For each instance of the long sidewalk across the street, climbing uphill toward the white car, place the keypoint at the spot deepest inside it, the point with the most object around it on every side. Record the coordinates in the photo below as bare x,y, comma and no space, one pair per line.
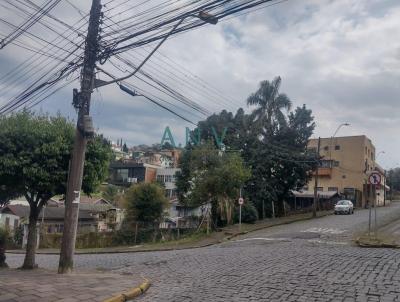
201,240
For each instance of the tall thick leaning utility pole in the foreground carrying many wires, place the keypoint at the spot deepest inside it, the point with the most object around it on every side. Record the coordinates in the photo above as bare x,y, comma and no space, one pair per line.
84,130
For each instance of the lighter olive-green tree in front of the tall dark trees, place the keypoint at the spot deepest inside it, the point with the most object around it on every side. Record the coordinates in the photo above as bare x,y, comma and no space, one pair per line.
209,175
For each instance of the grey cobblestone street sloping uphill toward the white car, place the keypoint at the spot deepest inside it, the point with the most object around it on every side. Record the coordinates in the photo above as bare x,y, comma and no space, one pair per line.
305,261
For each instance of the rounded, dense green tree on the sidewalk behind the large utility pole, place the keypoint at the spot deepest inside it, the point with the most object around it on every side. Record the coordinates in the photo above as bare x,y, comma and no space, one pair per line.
34,159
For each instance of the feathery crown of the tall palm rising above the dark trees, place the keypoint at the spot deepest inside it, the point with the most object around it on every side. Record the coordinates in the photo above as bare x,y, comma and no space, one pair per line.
271,103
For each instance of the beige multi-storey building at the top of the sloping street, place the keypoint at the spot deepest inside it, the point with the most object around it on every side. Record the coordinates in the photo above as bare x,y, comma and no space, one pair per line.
345,167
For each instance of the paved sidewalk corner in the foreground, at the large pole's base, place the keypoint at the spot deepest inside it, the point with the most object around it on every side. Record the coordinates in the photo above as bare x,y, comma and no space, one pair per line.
44,286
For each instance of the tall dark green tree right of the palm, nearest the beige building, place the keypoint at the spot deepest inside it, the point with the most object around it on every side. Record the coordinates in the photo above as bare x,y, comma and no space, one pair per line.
281,163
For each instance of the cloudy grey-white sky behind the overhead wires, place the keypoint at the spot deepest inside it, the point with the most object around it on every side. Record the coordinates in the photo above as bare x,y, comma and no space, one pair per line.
341,58
